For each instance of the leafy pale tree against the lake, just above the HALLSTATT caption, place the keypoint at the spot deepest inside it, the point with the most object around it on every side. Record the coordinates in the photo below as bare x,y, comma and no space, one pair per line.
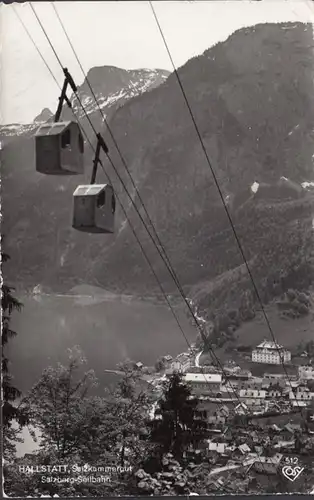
60,408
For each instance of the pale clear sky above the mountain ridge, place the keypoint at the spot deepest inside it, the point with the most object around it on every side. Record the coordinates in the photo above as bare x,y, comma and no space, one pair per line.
122,34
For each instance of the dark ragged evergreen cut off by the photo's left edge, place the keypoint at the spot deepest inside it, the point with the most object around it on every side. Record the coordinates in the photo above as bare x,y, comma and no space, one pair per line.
10,412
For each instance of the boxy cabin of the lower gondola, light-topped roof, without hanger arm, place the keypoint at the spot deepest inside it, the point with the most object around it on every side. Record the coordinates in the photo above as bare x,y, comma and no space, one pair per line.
94,208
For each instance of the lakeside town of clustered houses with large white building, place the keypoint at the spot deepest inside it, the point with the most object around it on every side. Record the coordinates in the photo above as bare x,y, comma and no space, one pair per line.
253,422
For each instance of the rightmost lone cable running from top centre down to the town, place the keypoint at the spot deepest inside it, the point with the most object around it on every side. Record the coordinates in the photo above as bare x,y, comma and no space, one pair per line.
221,195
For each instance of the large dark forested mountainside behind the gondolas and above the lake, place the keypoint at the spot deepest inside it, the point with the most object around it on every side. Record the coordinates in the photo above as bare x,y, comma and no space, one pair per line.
252,98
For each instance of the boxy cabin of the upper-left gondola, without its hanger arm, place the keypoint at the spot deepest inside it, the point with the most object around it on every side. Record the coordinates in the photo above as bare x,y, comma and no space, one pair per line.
59,149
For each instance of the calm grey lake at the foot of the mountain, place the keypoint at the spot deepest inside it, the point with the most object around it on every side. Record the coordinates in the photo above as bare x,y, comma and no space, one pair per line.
108,327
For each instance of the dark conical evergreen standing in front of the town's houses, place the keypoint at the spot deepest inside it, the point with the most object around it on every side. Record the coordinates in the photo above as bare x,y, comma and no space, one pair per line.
177,425
